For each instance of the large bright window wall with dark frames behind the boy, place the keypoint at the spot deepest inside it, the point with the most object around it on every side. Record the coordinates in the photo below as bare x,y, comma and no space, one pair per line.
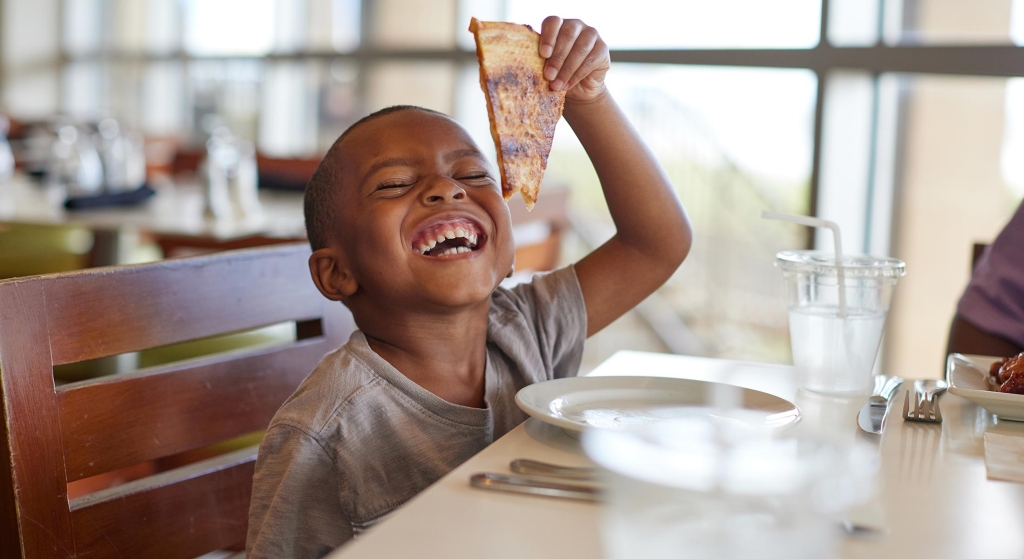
893,117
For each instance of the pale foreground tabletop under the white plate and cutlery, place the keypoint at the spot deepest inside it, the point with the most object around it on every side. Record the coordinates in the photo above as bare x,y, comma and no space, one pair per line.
932,496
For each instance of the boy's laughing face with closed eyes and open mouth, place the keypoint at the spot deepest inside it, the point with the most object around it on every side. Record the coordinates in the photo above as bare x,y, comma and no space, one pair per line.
422,220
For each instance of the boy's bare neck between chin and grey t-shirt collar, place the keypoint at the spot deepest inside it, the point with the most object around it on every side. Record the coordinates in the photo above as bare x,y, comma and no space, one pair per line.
446,355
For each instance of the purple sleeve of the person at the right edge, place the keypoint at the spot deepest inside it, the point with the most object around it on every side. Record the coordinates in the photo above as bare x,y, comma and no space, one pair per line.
994,300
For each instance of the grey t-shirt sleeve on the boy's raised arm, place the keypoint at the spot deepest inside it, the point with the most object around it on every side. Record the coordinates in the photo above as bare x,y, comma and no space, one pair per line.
552,306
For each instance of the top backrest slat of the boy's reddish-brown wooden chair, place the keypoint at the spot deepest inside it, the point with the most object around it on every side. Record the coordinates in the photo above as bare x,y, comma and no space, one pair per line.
175,302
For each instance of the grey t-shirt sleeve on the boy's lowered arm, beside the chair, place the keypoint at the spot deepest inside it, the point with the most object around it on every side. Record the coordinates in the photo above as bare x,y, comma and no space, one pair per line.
296,508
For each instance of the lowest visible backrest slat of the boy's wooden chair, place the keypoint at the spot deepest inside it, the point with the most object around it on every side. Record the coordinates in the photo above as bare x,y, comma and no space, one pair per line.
216,494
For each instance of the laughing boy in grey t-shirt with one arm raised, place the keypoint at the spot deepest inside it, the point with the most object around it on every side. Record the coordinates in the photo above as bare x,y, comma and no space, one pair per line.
411,233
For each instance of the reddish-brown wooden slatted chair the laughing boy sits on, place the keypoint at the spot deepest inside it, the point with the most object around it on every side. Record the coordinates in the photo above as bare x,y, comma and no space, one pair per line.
54,436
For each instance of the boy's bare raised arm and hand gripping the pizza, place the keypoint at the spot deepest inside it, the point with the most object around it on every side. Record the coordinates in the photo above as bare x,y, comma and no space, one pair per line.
653,233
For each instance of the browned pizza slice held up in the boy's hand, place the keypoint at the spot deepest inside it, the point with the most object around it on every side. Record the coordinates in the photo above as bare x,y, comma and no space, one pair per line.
522,107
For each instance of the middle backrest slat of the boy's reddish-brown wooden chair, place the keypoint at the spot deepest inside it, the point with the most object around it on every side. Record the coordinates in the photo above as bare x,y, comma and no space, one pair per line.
118,422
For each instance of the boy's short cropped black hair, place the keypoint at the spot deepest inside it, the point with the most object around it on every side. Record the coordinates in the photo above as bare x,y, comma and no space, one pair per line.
323,187
